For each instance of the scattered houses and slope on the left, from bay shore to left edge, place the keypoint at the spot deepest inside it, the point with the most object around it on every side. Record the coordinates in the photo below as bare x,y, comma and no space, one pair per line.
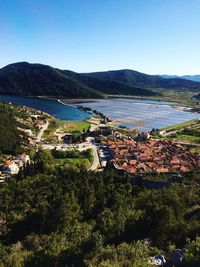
31,126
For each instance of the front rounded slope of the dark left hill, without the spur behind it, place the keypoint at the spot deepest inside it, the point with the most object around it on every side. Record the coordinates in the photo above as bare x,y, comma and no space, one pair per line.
37,79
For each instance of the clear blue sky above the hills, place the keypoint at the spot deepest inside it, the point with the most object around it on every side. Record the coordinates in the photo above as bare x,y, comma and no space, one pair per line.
152,36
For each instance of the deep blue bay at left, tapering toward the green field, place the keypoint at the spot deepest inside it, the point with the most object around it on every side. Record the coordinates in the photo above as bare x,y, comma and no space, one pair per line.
52,107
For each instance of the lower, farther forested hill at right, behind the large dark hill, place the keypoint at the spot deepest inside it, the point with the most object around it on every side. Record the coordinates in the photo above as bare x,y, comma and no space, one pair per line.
138,79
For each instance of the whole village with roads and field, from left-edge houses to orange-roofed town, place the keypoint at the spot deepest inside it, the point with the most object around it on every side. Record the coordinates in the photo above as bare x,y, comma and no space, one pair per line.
129,151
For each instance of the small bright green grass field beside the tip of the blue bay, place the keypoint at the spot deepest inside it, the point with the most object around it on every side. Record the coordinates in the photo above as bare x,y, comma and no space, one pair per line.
76,126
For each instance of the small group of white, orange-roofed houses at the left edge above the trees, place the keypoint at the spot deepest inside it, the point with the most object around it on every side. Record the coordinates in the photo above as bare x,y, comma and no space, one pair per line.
12,165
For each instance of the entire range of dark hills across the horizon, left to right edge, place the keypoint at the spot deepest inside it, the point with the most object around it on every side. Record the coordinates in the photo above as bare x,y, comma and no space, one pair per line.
24,78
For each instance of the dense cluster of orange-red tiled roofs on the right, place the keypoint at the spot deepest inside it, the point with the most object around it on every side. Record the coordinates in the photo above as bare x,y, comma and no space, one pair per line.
151,156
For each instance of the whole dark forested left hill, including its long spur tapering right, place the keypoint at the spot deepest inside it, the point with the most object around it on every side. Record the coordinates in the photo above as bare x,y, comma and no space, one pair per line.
36,79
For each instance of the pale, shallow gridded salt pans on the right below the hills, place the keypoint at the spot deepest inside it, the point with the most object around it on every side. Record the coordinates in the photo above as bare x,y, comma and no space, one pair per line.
140,113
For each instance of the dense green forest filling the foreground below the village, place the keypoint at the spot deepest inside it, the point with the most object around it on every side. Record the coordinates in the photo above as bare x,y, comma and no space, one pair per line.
57,217
